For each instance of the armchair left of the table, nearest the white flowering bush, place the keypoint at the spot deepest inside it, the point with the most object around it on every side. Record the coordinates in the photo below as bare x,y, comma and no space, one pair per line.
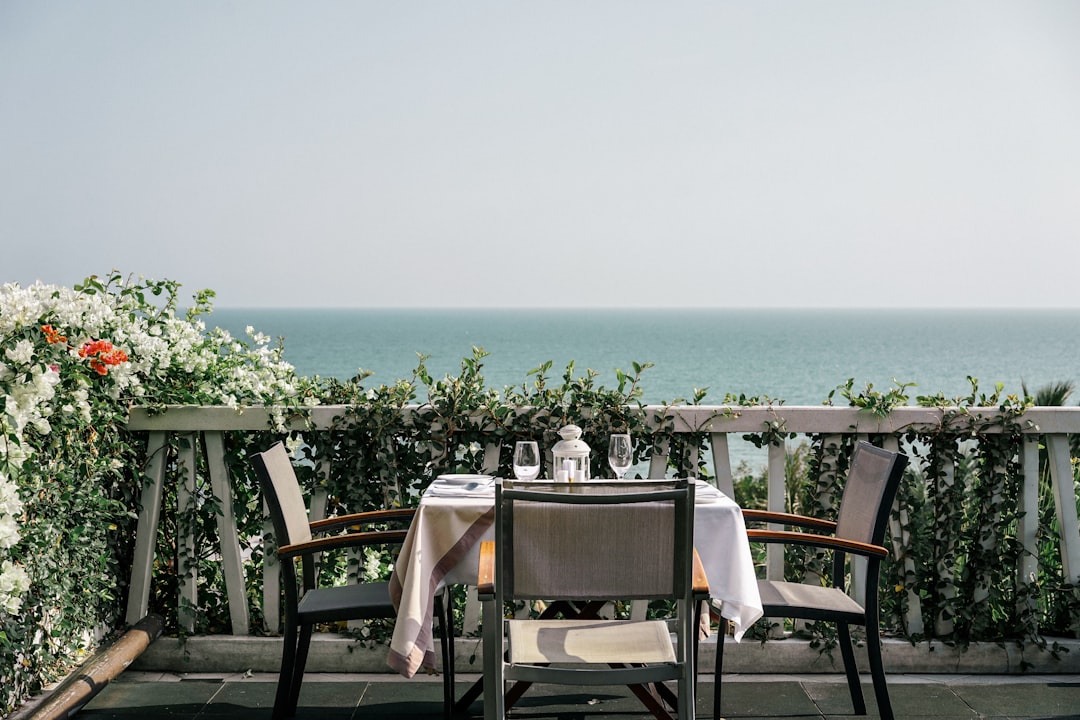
323,605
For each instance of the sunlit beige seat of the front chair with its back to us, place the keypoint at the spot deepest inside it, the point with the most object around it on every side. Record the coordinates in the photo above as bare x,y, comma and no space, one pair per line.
590,642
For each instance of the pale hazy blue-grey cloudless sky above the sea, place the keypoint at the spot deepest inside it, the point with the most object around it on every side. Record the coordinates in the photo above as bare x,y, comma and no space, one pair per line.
589,154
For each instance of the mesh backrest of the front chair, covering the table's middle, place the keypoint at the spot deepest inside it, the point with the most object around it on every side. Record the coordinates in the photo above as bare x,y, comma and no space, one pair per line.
595,541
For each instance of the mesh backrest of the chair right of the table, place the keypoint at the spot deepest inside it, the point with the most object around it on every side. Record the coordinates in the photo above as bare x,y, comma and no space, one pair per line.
873,479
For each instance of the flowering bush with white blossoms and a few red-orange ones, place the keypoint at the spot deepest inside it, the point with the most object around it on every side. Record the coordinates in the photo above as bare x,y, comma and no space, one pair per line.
72,362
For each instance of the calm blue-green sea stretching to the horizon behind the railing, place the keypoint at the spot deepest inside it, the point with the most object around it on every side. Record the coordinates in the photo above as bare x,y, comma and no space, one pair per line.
798,357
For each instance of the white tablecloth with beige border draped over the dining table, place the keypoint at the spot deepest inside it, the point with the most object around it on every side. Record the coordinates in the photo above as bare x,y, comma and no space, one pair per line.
443,548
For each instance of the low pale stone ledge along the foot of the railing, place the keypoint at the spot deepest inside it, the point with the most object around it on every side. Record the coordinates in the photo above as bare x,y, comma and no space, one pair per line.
332,654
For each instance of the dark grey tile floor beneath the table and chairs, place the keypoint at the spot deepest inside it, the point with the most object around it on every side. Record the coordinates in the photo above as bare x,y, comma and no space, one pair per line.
377,697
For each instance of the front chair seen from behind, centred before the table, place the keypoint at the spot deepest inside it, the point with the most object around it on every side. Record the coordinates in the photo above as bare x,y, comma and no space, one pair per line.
588,544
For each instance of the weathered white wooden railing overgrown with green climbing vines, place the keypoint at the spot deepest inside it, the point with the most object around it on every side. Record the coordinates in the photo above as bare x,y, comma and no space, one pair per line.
205,427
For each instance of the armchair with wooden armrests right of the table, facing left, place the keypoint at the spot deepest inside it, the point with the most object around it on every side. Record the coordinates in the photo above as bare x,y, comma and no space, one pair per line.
874,476
